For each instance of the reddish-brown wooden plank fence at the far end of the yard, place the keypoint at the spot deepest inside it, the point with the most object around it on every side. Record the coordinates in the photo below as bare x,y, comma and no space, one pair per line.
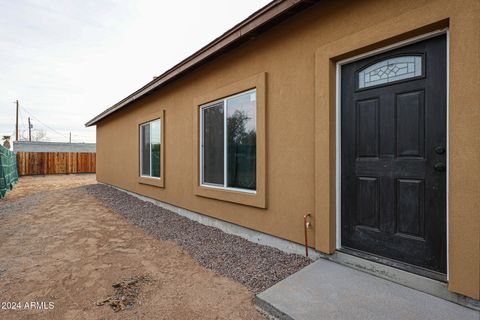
34,163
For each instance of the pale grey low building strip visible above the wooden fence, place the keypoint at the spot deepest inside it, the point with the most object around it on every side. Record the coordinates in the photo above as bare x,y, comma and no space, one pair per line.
40,146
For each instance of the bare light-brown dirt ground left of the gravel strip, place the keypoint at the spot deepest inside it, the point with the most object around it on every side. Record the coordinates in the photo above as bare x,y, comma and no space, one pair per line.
59,245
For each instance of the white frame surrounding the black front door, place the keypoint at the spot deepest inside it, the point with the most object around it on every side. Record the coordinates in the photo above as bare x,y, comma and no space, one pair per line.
338,140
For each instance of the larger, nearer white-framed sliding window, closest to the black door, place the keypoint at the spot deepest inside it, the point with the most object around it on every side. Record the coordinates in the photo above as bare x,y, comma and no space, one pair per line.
228,131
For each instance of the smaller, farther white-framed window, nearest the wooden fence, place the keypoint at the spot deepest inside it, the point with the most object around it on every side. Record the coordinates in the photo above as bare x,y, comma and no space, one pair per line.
150,138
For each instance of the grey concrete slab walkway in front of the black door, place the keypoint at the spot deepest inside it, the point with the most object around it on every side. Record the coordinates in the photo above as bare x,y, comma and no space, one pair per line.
327,290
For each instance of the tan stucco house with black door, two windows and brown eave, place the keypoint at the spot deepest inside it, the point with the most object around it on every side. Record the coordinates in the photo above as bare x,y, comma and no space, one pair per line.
363,114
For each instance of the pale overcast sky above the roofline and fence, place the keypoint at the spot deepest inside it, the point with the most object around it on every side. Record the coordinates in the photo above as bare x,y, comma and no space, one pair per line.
66,61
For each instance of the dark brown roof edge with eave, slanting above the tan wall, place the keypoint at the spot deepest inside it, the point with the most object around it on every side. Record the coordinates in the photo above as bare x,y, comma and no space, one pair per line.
241,30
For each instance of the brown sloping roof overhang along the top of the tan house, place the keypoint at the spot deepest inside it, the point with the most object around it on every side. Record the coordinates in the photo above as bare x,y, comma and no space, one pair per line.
267,17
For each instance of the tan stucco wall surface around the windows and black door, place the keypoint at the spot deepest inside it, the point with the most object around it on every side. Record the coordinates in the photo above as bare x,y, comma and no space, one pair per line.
298,58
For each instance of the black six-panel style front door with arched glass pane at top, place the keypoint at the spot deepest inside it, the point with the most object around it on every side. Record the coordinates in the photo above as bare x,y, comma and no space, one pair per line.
393,155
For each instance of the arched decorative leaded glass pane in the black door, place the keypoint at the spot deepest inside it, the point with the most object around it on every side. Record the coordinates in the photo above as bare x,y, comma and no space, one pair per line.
391,70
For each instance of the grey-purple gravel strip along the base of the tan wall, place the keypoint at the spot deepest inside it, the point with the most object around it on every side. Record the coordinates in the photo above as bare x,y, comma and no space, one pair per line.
256,266
